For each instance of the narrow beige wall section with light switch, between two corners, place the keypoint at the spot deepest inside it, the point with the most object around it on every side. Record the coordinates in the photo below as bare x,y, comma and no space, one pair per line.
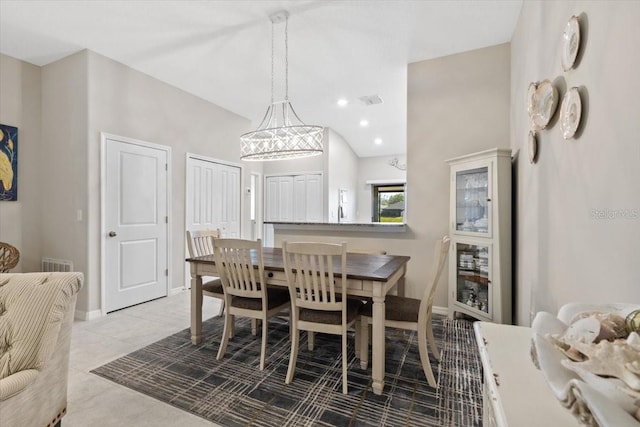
63,164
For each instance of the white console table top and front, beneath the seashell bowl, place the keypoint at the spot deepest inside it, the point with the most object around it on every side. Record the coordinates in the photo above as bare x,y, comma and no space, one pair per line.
515,392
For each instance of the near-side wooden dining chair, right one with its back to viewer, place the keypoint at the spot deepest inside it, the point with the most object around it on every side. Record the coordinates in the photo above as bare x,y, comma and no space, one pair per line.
319,300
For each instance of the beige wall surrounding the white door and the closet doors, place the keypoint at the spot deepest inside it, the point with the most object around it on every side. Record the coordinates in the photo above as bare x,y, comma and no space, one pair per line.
128,103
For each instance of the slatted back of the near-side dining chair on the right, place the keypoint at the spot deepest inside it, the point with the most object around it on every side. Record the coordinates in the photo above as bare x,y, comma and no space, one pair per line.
311,274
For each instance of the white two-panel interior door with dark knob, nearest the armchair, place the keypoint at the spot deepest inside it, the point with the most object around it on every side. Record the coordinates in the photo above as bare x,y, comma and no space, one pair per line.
136,222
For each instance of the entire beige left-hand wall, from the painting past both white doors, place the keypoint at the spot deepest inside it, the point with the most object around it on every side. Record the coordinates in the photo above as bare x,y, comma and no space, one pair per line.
82,95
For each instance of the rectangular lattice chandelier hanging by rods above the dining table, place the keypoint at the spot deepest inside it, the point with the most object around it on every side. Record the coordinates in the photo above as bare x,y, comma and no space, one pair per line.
281,135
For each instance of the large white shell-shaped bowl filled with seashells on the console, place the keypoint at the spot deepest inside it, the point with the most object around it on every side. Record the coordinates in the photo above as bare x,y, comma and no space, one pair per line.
583,374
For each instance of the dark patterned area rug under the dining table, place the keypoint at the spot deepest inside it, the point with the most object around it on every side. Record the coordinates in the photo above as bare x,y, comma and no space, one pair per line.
234,392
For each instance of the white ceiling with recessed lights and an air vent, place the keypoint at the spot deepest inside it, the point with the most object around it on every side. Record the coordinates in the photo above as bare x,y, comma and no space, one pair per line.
220,50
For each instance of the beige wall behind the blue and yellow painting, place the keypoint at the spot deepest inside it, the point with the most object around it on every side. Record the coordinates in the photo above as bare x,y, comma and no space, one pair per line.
20,107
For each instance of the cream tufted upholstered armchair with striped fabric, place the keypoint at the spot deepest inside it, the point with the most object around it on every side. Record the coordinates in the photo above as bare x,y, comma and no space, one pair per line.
36,315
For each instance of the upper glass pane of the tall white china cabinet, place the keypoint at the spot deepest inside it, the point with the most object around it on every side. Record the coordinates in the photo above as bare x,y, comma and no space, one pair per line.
473,207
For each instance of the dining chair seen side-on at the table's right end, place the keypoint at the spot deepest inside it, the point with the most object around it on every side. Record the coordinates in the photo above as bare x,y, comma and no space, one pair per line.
411,314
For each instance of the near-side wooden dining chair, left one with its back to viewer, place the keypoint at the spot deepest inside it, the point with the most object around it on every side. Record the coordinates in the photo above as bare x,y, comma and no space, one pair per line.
241,269
